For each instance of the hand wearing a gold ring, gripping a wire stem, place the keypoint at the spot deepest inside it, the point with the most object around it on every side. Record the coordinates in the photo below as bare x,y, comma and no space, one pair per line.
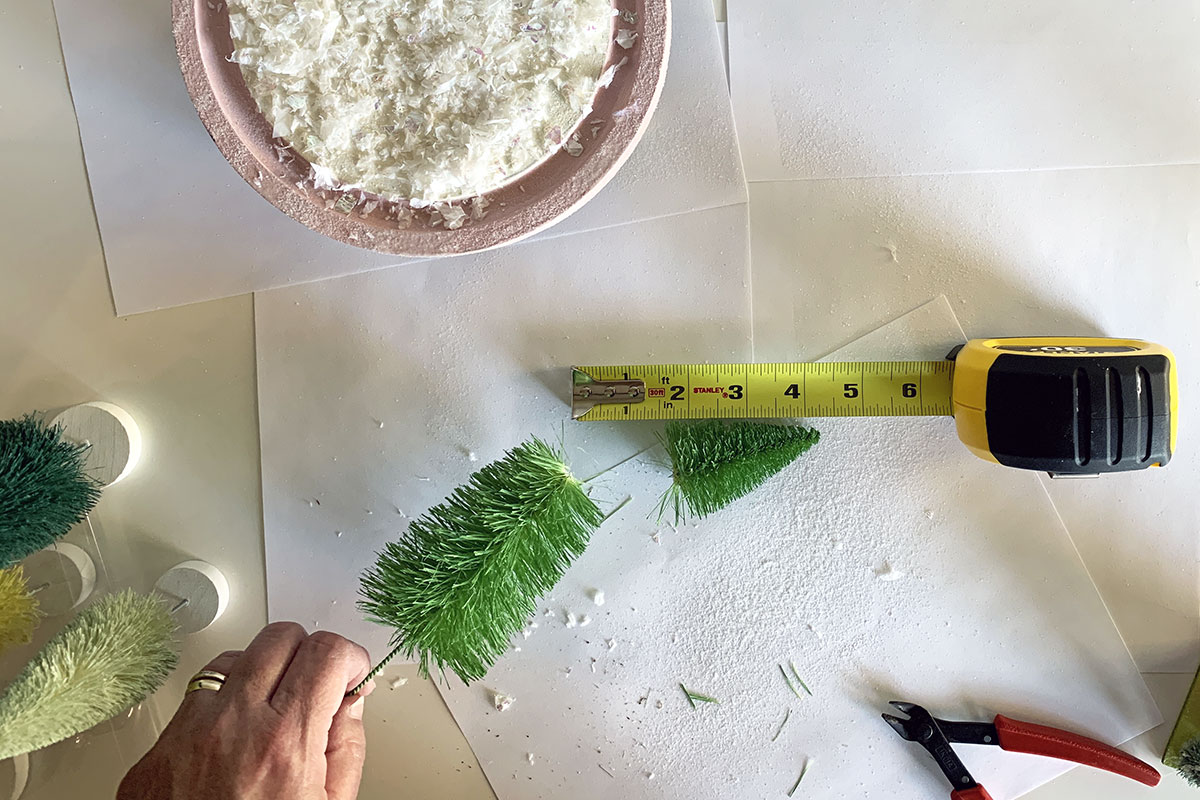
280,727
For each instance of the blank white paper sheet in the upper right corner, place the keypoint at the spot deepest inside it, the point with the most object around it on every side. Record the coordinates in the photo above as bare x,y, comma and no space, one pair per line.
826,88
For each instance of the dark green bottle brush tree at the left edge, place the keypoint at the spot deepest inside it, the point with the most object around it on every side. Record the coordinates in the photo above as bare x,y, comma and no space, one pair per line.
44,490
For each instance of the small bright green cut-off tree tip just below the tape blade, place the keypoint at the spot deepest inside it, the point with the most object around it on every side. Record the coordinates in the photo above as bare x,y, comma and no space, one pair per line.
715,462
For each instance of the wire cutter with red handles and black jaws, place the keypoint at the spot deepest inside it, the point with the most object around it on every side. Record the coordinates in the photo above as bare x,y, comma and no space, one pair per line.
937,737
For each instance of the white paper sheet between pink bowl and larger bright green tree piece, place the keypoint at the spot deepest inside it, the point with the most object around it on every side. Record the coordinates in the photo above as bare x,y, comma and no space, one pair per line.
376,392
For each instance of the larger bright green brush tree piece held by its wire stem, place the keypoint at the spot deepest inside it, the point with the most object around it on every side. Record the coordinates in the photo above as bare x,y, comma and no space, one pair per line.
466,578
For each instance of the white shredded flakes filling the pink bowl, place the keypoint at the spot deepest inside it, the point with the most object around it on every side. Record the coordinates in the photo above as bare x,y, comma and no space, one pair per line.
422,100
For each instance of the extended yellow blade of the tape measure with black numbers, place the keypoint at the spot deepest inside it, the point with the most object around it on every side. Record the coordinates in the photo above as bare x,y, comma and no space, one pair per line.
681,392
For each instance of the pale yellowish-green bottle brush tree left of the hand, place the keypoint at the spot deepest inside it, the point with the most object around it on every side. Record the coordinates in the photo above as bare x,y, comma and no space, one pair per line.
109,659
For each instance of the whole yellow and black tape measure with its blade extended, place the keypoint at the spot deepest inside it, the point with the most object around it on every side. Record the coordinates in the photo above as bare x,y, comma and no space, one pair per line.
1066,406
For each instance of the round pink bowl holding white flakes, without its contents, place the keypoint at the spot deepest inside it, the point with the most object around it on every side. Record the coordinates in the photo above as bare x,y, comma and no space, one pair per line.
532,202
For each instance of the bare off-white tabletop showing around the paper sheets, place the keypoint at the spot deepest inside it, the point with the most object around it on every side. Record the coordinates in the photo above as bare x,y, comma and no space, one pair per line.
189,377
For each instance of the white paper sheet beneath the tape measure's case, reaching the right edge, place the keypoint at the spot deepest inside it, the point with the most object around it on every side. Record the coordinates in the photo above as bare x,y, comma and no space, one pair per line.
1079,252
